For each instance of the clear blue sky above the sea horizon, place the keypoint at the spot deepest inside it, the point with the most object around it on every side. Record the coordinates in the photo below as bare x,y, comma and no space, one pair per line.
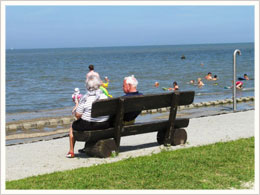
101,26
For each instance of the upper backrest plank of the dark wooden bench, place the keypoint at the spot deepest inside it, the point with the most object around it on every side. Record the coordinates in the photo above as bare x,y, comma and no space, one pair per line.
137,103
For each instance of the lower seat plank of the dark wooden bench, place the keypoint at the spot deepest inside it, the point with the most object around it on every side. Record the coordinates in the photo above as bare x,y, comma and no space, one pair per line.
95,135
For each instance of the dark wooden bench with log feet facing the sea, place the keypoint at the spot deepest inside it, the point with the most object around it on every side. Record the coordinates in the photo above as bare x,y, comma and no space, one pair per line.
100,143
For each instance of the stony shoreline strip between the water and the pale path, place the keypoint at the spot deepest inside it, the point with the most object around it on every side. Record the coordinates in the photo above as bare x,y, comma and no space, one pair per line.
31,130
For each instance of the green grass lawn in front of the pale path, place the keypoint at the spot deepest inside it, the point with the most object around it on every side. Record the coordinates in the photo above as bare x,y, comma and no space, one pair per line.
217,166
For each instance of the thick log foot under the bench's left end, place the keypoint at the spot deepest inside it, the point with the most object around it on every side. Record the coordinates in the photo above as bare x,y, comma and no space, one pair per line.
101,149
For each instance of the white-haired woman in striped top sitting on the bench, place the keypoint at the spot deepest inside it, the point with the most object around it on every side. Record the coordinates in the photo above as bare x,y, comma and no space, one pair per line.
84,120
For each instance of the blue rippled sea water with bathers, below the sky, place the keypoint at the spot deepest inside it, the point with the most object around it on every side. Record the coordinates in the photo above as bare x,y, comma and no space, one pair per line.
43,79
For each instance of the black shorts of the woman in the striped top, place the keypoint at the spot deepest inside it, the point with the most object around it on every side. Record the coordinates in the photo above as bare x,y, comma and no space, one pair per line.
83,125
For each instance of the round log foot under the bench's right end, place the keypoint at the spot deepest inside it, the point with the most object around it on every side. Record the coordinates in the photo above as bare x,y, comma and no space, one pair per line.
179,137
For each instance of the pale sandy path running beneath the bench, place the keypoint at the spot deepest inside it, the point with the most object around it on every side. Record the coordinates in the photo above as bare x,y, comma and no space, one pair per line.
25,160
